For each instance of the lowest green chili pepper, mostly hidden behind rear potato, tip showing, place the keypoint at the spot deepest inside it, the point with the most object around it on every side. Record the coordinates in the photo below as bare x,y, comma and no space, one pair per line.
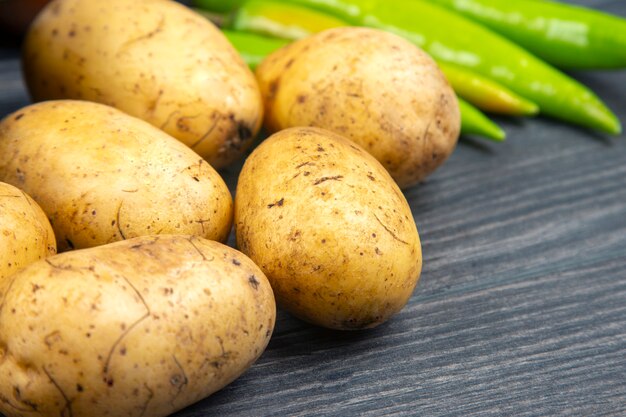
254,48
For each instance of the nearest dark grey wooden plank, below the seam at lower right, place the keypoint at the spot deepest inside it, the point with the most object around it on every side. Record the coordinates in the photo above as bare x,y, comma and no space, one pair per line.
524,348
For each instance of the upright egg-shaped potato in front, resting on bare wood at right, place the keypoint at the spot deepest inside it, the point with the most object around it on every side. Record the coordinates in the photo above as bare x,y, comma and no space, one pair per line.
329,228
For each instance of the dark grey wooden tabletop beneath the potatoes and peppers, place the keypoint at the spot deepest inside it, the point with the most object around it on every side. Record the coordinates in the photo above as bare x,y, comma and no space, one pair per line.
521,309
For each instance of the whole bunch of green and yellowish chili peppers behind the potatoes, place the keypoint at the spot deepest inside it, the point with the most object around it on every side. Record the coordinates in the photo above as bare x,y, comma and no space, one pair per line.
499,56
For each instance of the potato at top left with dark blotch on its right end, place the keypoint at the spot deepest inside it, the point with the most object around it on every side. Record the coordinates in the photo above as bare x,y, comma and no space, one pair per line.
154,59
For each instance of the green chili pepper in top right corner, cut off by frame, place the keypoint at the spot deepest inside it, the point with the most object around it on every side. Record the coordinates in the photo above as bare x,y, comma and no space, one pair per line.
564,35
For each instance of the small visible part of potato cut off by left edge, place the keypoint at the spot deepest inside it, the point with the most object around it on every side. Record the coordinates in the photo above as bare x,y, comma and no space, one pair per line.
25,232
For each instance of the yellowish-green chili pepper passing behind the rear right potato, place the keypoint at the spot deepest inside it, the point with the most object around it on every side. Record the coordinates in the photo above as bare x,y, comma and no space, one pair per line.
289,21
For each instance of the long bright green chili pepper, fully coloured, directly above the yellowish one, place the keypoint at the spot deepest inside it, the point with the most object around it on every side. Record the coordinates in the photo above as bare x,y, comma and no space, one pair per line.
449,37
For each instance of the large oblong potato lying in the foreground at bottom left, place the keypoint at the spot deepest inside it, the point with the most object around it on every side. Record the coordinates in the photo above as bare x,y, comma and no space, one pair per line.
137,328
